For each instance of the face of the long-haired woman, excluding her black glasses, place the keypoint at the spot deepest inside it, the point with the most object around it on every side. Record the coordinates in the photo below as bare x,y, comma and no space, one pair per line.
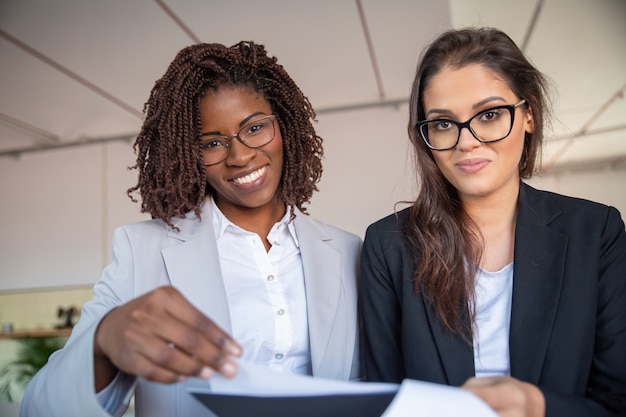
477,169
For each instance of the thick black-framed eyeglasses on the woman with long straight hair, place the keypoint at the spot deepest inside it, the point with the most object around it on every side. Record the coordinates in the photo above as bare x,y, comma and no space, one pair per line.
490,125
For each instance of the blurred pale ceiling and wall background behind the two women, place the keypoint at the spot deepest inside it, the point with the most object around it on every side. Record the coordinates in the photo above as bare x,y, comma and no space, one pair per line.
74,75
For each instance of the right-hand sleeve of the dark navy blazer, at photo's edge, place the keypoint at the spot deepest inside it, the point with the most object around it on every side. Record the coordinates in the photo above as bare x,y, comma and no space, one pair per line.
606,386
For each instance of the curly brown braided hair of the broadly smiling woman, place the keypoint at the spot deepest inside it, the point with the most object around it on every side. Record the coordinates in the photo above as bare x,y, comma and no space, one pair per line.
171,178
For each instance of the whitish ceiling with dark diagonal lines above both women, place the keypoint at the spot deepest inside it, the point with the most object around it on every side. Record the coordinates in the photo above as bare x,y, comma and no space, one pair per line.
80,70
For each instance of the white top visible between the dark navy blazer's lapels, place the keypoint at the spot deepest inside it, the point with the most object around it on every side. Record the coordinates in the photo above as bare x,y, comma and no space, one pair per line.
494,292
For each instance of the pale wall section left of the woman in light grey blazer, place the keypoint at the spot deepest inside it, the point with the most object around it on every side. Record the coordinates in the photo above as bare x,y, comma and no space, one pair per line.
58,210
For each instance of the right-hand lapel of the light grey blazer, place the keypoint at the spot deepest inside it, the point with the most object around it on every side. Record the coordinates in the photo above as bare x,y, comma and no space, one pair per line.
322,272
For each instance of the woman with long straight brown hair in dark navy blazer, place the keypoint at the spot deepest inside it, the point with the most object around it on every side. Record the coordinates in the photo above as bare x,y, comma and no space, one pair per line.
516,294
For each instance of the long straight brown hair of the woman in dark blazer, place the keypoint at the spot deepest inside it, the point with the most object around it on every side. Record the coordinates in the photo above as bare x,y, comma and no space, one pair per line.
444,240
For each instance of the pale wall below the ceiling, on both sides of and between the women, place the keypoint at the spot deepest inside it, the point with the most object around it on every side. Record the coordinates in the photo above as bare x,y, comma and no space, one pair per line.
58,208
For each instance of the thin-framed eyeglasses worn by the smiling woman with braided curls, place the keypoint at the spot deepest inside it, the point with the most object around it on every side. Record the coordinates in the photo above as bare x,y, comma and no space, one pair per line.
254,134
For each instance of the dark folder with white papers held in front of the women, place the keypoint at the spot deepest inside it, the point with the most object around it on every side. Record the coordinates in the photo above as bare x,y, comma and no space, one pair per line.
267,392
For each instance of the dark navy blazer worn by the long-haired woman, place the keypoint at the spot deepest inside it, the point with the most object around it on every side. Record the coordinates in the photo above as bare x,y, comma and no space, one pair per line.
568,318
